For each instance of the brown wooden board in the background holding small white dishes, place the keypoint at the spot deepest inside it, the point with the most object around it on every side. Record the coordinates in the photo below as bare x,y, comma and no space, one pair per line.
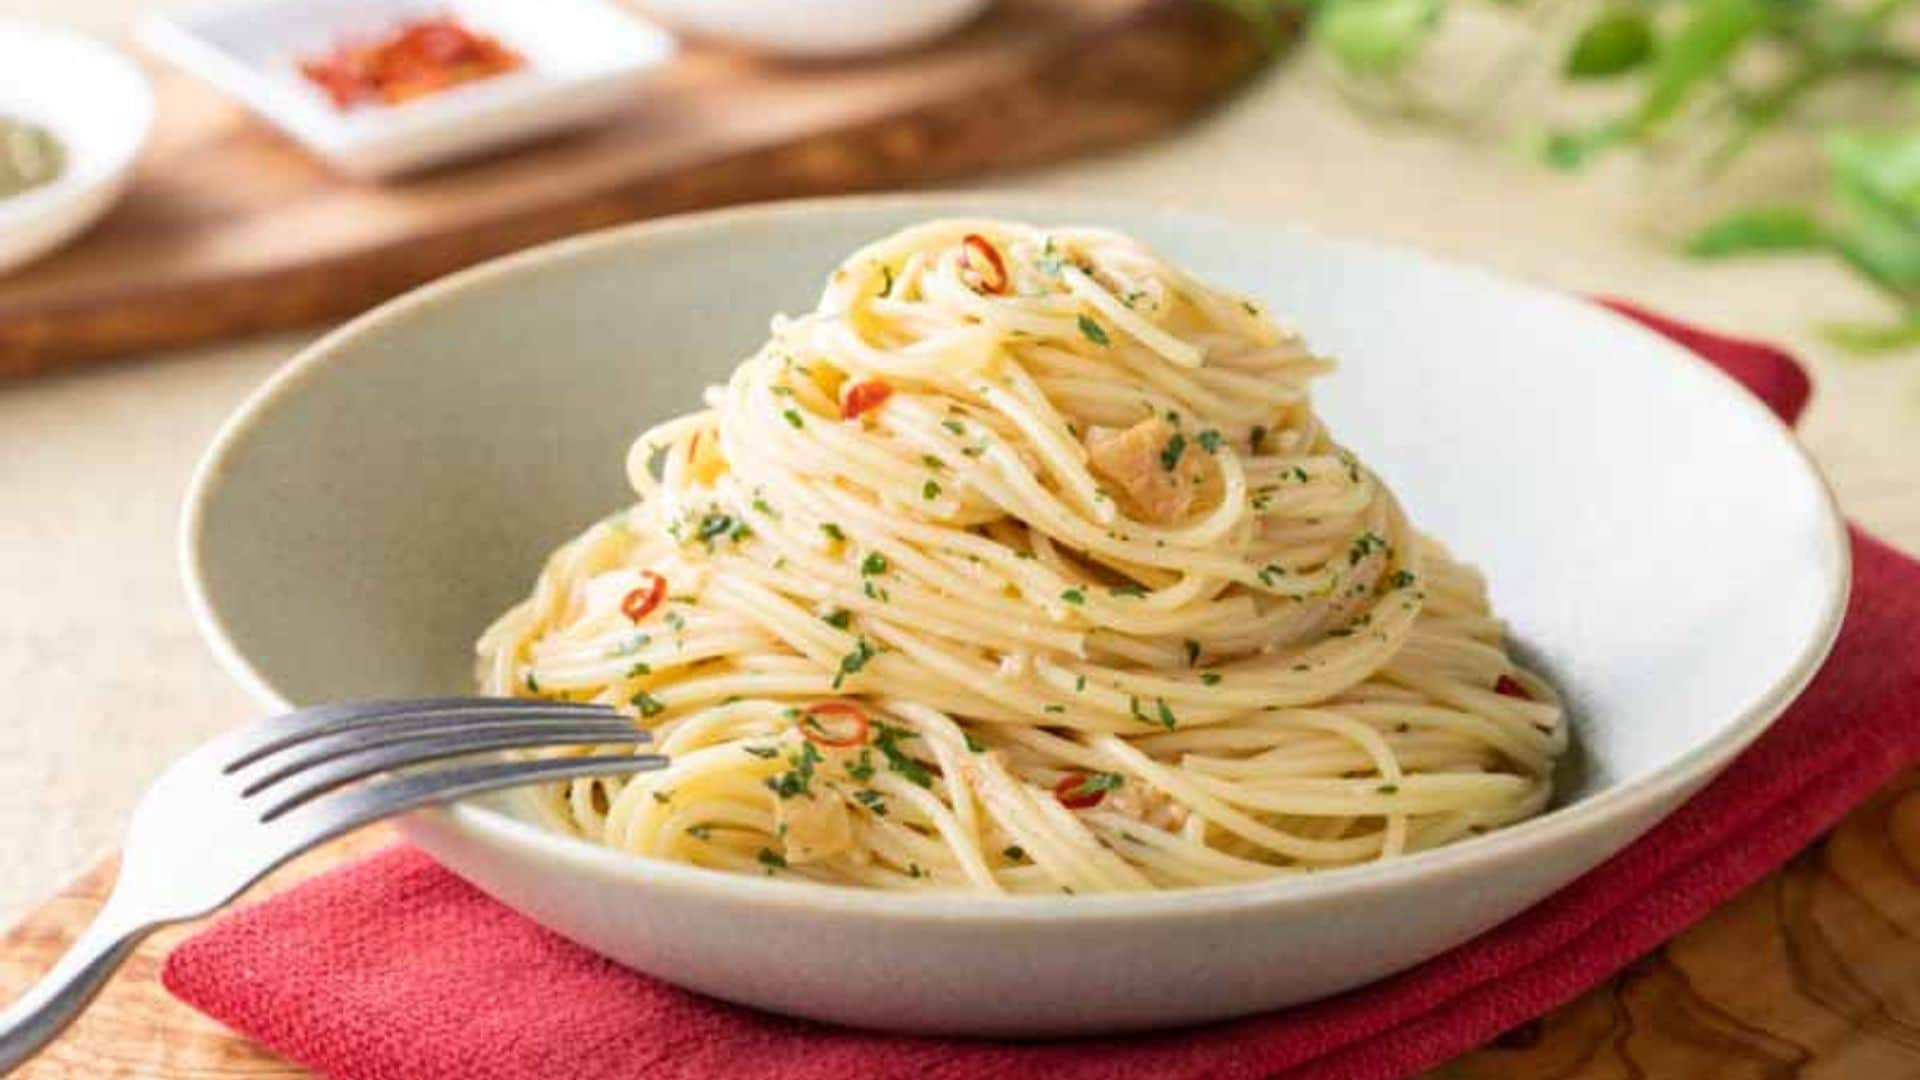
231,230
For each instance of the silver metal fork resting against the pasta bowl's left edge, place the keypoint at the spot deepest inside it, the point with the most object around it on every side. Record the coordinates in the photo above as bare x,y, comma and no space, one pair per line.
252,798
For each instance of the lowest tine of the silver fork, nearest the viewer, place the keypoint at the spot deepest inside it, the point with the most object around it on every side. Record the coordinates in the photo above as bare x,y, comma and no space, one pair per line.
331,816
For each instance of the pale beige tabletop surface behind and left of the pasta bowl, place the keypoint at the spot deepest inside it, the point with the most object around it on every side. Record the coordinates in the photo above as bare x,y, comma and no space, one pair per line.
107,681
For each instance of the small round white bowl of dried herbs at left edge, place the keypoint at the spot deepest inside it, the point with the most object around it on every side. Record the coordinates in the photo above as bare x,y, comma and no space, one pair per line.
101,109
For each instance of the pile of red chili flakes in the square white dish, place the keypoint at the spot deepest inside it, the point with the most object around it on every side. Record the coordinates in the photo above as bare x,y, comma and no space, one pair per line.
418,59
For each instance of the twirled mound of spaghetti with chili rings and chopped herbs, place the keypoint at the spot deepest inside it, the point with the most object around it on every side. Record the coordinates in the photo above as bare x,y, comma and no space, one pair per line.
1022,566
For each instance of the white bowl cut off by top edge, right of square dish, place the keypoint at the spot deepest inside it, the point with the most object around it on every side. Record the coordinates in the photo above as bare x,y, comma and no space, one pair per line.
815,30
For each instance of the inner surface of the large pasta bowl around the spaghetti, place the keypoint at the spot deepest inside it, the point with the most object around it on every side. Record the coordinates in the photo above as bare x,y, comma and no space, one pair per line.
1650,533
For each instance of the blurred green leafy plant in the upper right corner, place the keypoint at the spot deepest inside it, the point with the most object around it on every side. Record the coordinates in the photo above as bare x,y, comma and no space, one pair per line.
1746,68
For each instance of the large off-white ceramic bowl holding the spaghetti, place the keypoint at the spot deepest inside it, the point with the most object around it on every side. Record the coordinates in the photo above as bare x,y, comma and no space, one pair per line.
1656,537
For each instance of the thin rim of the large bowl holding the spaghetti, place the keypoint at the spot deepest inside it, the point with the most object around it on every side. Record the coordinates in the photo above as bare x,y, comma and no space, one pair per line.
496,829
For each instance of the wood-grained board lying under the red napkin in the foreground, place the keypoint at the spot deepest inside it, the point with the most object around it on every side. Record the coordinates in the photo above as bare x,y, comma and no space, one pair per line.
1812,973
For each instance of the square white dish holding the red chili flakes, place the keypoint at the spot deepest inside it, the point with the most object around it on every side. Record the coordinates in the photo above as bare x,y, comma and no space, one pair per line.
585,62
